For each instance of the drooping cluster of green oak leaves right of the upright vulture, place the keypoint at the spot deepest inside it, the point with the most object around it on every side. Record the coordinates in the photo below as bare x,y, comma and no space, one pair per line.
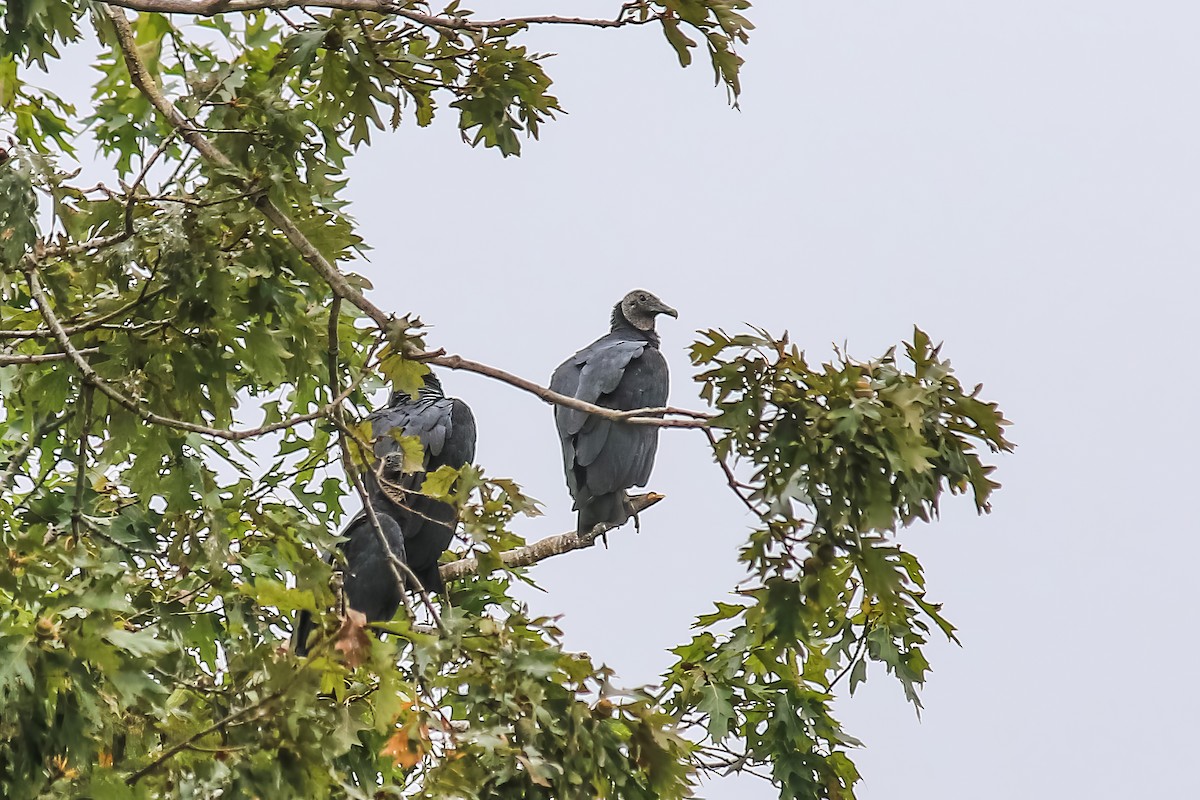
841,458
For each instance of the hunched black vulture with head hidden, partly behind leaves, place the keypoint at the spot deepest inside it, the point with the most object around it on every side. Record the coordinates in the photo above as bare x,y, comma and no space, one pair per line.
418,528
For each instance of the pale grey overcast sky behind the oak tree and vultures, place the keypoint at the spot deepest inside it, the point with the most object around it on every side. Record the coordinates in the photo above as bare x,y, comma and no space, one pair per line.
1019,179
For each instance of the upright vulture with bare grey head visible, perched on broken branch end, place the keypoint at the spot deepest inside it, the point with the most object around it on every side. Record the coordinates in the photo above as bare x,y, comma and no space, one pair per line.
623,370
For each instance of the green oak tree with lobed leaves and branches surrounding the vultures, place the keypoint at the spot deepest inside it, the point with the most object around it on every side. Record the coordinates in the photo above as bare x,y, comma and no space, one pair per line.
187,369
